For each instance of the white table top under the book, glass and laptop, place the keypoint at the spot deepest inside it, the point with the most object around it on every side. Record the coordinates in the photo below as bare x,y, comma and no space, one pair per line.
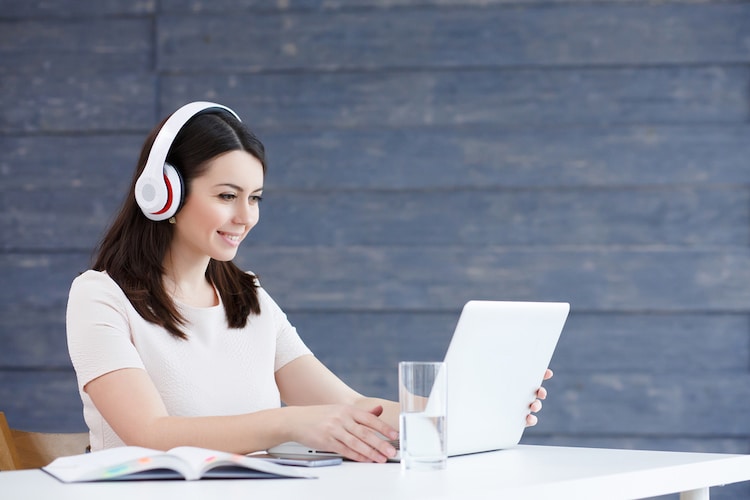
525,472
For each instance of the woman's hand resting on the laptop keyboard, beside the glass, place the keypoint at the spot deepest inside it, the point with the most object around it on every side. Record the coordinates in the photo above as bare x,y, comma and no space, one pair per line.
355,433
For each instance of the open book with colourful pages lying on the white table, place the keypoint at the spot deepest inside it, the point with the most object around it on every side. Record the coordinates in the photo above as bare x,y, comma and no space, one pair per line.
184,462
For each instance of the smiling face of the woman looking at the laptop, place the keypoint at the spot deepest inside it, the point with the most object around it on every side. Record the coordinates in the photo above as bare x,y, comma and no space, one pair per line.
221,208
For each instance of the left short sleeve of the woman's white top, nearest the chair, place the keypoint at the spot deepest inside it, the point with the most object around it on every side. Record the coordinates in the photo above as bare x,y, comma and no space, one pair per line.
98,328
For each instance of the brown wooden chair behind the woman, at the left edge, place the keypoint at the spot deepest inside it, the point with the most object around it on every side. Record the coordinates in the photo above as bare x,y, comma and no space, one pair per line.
31,450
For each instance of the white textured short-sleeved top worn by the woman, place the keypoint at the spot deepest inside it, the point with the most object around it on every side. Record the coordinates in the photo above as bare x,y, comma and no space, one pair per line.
217,371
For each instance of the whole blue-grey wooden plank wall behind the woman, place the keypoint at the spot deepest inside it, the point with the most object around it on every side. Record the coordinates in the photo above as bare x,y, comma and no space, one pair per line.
422,153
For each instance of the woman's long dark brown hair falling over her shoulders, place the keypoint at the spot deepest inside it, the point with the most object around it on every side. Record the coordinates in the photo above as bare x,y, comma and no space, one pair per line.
133,248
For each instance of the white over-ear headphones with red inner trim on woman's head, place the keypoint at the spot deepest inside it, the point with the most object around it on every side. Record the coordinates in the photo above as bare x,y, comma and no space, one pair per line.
159,190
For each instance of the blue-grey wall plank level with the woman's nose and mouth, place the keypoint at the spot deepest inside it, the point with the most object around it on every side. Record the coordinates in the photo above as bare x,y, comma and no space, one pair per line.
50,218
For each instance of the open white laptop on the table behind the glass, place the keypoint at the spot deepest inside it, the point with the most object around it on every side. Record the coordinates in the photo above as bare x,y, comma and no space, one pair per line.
496,361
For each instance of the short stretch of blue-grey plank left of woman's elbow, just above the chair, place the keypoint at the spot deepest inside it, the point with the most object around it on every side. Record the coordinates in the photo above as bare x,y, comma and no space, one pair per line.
45,401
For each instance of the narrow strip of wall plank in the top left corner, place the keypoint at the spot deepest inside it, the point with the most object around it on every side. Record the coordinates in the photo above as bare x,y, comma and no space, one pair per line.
13,9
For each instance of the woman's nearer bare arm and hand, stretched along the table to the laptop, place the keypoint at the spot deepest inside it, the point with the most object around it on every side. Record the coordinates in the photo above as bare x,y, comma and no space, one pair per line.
131,404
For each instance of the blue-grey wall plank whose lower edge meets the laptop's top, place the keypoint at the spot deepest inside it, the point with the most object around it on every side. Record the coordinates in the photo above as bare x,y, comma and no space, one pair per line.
438,279
